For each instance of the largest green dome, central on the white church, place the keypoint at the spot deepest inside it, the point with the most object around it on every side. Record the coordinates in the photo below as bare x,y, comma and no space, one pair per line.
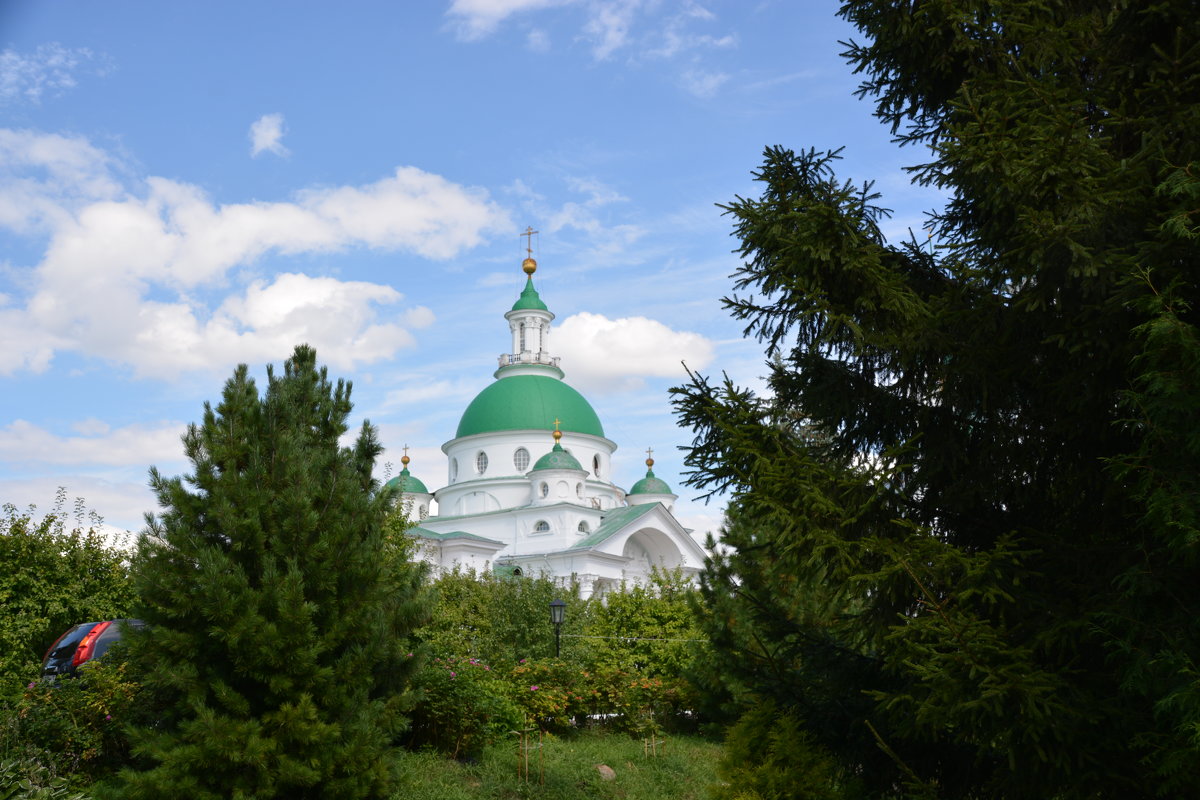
529,402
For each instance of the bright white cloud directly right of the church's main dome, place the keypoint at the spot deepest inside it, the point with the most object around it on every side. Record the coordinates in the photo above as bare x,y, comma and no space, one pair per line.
603,354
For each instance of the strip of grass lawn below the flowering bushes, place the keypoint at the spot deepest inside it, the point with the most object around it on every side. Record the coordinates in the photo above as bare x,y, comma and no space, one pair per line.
685,769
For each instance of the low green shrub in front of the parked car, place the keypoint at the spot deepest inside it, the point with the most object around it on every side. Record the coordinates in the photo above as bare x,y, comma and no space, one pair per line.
75,727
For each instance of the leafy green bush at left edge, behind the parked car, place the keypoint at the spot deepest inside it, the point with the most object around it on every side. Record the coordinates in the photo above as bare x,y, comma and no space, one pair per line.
52,579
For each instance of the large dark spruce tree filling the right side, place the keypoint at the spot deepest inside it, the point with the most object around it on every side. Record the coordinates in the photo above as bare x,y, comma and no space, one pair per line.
980,578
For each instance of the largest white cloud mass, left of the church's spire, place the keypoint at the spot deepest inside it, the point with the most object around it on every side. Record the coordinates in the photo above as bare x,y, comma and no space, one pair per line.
125,269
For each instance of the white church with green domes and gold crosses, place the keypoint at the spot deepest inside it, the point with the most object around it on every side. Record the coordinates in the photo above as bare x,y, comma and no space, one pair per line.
530,489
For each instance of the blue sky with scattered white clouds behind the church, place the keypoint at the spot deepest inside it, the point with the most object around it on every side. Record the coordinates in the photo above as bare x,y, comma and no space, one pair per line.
185,187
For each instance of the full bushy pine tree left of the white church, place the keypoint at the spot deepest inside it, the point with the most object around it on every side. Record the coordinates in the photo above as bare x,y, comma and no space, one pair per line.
278,604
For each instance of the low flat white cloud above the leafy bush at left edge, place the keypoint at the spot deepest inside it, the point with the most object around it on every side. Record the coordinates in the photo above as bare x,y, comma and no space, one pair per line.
135,446
